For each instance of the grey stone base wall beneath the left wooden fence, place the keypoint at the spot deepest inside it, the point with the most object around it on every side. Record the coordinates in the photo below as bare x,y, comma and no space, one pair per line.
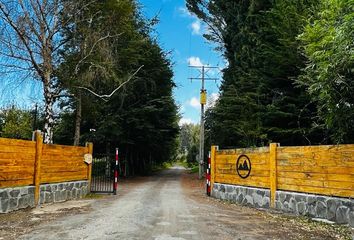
12,199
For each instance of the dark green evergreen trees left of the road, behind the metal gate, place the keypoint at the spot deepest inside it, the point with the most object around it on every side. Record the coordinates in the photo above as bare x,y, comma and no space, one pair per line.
141,118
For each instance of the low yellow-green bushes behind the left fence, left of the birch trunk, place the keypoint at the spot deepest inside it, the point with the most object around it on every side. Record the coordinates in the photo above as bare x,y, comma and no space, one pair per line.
15,123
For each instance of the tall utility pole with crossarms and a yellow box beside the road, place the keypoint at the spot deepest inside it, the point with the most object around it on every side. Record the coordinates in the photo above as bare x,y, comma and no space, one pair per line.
203,100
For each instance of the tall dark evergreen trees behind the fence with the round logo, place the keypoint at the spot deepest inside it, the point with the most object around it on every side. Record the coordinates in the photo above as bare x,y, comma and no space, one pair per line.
260,101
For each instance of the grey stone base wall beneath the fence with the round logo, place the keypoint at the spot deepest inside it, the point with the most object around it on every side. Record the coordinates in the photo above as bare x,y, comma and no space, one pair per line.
339,210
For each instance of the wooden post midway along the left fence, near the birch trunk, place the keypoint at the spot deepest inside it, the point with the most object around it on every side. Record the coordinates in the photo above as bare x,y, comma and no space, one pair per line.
37,167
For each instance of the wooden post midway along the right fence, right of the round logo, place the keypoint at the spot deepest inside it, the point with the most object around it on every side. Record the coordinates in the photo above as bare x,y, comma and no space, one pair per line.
273,172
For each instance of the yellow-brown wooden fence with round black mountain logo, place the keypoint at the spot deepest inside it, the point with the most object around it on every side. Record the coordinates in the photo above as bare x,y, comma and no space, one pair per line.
324,170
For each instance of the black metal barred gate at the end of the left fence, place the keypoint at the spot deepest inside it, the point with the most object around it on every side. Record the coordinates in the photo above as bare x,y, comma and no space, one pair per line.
102,180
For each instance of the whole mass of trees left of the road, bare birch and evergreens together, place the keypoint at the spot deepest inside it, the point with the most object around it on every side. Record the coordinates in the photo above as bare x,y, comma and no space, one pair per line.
104,77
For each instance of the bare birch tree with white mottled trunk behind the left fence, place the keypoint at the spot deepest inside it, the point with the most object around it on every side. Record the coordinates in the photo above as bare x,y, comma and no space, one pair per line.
30,41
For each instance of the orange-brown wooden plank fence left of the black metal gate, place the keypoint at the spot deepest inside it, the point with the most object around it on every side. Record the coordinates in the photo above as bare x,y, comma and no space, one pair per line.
24,163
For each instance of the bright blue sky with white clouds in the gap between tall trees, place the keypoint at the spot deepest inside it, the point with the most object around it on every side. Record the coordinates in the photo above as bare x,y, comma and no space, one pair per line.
181,32
